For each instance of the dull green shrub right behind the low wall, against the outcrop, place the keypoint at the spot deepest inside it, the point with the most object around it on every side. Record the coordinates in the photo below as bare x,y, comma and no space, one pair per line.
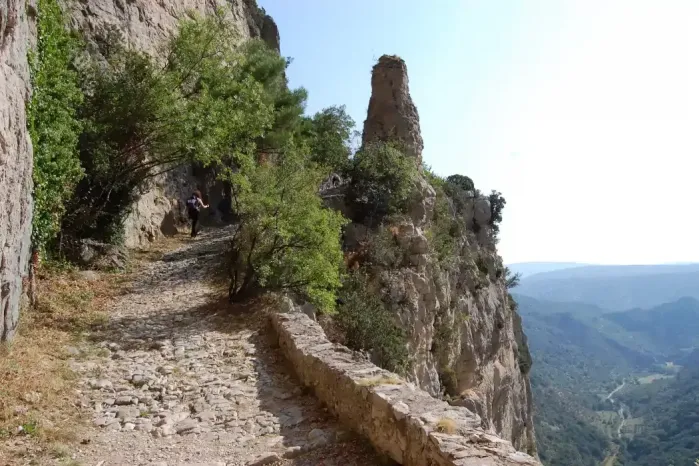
368,325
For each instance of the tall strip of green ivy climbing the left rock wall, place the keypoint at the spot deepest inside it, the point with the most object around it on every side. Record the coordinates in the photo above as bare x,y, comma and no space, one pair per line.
53,124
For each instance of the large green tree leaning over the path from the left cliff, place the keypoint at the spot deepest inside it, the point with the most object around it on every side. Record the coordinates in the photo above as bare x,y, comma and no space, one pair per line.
208,103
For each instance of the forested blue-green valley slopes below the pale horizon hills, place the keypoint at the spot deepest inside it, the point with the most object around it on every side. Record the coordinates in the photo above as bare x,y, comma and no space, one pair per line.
582,353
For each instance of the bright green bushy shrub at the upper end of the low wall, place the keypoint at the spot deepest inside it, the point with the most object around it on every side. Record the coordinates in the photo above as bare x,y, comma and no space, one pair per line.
286,239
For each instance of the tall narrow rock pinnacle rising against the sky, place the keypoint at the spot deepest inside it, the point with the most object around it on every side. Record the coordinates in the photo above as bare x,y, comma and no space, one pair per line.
392,115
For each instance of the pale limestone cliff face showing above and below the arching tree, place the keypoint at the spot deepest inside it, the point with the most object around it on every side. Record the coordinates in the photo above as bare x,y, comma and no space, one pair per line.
146,25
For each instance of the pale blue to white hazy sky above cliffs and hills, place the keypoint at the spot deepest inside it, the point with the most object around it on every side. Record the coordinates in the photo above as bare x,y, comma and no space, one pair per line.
583,113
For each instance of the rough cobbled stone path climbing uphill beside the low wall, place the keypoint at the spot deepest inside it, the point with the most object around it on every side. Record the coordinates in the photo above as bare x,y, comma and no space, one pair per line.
179,378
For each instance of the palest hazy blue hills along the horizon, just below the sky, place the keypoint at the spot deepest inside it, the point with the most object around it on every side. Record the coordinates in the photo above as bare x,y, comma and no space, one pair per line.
617,288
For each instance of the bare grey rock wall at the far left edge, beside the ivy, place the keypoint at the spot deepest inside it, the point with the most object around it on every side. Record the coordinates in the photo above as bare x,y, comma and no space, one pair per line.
17,35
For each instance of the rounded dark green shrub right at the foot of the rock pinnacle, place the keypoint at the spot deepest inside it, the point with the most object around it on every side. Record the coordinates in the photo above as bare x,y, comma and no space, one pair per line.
383,179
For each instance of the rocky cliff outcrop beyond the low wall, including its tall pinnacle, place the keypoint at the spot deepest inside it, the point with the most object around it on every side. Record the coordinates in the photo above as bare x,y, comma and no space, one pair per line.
464,333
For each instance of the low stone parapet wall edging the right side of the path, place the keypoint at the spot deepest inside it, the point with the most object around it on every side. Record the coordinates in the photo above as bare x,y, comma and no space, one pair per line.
402,421
